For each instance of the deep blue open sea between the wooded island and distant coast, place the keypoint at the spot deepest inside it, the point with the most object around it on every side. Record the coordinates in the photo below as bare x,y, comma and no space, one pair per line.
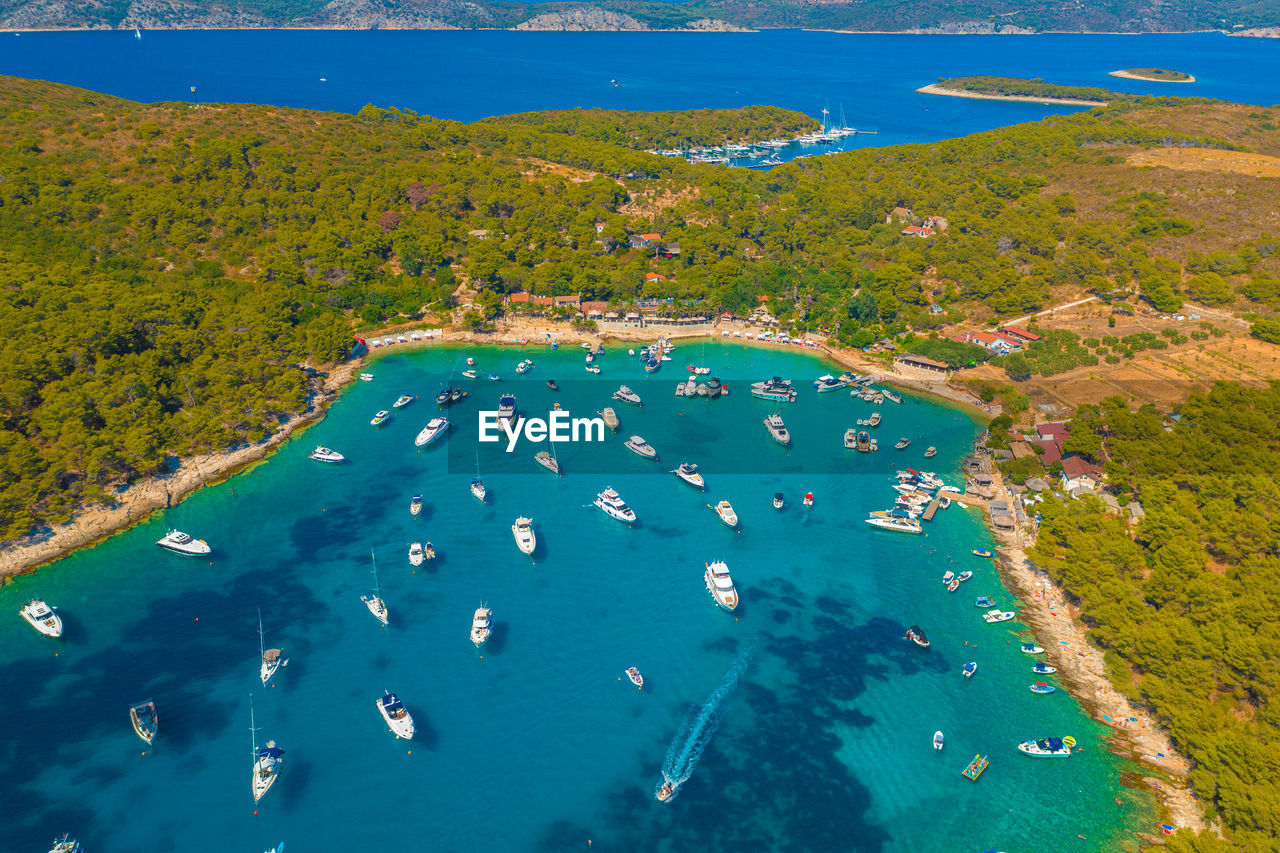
472,75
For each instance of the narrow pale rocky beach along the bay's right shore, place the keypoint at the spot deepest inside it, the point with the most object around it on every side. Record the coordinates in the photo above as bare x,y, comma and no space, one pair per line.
1081,667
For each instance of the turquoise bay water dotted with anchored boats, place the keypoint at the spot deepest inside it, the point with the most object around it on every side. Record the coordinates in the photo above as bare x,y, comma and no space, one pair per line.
538,742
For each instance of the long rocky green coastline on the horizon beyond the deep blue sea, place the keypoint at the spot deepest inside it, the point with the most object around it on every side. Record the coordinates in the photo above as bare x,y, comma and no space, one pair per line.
982,17
